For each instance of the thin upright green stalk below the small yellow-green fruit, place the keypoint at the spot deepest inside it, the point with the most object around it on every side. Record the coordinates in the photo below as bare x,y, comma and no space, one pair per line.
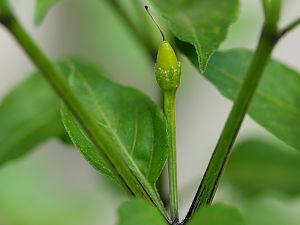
170,112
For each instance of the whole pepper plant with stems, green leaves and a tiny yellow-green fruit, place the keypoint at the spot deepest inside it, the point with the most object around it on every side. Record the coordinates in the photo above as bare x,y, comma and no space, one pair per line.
129,138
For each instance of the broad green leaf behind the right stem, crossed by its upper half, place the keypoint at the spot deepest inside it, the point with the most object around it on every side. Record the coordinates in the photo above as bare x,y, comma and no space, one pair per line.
276,104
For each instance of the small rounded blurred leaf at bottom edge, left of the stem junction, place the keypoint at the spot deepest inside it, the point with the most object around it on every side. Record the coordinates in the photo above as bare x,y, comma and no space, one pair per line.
137,212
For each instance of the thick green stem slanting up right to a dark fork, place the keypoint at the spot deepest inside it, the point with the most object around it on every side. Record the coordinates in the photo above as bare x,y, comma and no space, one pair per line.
218,161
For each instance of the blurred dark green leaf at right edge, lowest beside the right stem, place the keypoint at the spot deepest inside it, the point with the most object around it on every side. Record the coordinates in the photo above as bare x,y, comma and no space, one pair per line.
256,166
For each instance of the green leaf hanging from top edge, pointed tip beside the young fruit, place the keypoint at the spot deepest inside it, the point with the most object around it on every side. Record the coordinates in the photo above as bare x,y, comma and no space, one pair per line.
202,23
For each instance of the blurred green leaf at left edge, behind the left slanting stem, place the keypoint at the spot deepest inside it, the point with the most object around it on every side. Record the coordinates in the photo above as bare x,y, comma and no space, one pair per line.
29,115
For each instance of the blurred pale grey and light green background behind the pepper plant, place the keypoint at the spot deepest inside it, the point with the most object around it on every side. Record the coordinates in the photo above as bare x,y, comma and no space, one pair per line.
55,185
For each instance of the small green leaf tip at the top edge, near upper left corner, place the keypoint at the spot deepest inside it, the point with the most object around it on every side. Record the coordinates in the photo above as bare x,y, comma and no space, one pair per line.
41,9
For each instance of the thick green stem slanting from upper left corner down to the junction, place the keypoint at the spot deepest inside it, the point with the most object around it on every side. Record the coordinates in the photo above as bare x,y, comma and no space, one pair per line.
133,183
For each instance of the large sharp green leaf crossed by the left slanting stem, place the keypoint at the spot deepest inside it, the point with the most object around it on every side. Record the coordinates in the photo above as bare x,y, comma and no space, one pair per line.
130,119
